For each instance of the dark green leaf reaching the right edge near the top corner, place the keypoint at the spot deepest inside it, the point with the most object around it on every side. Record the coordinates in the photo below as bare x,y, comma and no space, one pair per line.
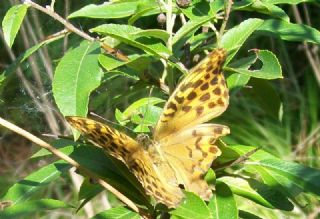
289,31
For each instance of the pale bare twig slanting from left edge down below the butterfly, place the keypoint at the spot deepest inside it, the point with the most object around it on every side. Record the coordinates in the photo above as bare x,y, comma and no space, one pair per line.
74,163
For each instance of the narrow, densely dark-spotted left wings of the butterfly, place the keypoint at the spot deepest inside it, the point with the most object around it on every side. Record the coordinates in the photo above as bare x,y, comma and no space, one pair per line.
132,155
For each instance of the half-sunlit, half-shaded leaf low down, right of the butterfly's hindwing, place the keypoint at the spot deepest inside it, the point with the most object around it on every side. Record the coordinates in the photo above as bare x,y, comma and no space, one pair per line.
258,192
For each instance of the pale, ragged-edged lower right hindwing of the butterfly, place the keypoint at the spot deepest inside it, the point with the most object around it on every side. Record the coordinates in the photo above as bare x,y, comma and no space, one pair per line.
191,152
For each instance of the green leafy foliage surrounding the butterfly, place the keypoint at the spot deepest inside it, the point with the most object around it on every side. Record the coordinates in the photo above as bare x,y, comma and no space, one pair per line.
87,77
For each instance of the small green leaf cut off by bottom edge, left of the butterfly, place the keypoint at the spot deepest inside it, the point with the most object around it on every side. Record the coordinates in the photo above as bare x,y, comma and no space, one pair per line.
119,212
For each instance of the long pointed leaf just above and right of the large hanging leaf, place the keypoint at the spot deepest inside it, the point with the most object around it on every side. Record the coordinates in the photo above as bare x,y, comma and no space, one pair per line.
136,37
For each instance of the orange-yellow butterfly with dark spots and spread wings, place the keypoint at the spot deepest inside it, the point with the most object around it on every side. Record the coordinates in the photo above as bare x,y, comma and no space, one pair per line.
182,148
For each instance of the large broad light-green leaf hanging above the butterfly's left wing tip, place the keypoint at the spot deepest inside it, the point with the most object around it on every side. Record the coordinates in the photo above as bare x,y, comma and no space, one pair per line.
76,76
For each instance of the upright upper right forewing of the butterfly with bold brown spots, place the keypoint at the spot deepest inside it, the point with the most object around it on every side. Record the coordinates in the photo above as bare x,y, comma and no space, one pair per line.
201,96
